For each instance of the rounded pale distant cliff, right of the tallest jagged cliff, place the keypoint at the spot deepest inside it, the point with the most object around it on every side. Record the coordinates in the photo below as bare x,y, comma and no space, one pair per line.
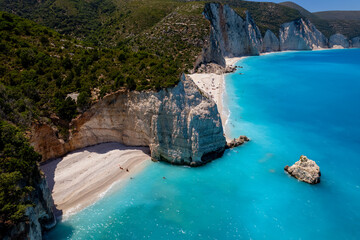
301,35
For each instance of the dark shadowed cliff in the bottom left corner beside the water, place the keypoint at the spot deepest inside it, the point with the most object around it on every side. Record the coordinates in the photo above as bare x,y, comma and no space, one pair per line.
40,216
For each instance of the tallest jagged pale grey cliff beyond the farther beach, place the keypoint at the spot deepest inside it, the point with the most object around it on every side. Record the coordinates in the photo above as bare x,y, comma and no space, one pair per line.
230,35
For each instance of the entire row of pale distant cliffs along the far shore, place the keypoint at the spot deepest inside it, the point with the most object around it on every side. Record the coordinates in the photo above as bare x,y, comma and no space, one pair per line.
234,36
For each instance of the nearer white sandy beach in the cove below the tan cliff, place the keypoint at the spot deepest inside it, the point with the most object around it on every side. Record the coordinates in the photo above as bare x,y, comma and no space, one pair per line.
82,177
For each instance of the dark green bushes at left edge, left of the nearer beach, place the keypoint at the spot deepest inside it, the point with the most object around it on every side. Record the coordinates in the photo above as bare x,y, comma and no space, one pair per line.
18,175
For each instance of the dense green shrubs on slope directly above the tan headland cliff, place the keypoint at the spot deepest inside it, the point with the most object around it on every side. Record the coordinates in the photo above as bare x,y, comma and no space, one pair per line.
40,67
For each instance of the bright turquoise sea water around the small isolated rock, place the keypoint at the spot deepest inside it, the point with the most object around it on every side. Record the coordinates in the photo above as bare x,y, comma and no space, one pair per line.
288,104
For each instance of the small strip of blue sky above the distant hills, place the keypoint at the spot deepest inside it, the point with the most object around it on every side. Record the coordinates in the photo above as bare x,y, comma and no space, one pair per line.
323,5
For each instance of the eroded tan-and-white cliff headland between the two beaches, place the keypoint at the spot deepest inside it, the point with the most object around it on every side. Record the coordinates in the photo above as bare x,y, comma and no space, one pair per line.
181,125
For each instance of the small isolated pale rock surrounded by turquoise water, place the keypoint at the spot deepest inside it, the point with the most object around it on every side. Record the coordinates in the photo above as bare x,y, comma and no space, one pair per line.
305,170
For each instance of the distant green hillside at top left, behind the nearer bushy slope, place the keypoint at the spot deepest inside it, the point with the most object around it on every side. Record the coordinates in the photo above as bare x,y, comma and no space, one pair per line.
102,22
